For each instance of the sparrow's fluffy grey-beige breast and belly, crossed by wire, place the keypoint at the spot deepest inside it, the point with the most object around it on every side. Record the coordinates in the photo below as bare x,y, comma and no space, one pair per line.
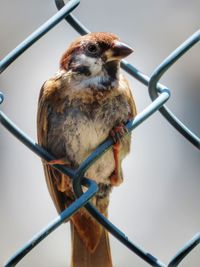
86,126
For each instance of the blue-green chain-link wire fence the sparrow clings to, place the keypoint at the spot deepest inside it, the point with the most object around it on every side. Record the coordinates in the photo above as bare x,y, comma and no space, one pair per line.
159,95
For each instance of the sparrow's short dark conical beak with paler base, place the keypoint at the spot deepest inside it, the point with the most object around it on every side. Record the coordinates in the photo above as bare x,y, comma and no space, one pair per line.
118,51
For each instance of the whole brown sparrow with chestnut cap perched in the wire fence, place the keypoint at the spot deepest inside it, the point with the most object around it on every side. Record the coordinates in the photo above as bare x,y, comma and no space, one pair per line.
85,102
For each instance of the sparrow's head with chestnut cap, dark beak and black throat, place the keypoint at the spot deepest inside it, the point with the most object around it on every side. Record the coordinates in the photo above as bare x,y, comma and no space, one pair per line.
94,58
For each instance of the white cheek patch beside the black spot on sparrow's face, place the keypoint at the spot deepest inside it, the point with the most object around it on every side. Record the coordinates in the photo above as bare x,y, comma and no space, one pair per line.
94,64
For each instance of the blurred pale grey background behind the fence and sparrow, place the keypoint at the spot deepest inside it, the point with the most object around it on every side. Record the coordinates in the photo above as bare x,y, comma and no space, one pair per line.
158,204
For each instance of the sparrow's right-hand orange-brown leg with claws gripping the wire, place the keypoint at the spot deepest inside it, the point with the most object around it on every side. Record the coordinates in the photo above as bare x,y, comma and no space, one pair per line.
117,133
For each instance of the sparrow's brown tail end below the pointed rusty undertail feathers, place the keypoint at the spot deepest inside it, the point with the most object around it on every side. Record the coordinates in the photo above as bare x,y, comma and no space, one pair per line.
83,257
